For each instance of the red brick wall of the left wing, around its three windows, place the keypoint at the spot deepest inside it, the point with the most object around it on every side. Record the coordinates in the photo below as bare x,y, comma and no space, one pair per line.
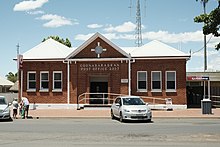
45,97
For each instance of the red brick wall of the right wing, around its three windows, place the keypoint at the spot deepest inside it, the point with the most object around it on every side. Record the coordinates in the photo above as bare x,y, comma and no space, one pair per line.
178,97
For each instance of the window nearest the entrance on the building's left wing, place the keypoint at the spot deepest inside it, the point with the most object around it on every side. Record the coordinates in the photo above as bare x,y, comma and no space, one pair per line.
57,81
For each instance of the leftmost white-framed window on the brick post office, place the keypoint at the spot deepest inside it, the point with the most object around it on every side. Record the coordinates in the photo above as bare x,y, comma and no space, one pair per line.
31,81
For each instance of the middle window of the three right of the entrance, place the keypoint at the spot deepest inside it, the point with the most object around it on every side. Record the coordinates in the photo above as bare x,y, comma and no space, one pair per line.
156,81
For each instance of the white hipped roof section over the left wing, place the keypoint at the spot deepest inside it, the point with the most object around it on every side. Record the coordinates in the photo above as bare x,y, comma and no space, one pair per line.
49,49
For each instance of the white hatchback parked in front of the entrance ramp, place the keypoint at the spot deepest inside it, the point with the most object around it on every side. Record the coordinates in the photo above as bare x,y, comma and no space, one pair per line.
130,108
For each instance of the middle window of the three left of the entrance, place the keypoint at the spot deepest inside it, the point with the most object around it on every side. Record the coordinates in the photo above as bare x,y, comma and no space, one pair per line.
44,81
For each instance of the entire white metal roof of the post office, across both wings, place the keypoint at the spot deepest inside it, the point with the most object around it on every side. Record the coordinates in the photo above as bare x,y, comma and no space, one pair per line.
51,49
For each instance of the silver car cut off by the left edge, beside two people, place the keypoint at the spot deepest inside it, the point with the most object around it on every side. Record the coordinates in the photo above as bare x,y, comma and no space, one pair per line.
4,109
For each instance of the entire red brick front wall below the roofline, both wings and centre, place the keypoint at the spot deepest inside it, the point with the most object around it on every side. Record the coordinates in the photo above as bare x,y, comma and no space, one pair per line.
80,79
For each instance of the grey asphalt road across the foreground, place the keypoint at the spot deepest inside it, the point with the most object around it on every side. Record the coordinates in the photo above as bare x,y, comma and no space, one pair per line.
106,132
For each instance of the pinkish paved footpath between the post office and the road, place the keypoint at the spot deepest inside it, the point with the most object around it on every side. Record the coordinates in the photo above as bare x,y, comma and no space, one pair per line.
105,113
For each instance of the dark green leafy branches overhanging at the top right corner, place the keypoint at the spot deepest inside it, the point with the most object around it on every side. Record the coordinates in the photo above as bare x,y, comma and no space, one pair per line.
211,22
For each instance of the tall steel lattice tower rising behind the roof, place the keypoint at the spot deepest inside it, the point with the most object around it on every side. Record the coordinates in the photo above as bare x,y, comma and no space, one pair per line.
138,34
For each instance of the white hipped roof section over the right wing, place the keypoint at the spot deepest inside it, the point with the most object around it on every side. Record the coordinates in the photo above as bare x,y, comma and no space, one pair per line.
154,49
